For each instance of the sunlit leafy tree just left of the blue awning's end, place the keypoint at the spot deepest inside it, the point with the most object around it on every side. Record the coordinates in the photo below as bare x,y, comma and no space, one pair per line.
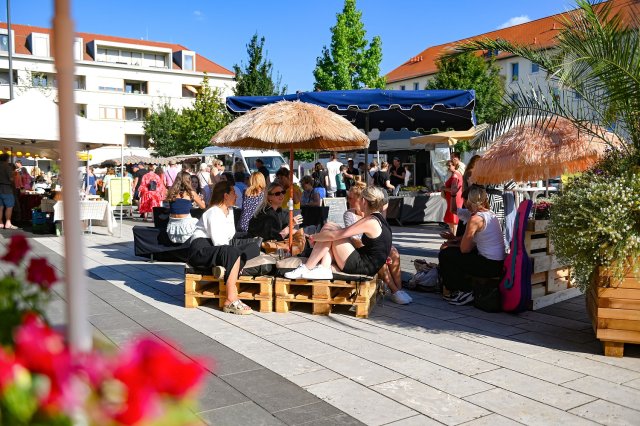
203,120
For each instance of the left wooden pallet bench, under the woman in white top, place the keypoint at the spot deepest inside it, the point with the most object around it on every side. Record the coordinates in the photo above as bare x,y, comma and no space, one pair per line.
201,288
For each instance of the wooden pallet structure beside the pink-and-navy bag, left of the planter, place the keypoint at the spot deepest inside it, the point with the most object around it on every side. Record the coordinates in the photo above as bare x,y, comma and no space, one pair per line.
550,278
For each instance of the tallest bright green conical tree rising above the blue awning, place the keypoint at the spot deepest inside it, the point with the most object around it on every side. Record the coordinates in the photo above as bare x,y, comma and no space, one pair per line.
348,63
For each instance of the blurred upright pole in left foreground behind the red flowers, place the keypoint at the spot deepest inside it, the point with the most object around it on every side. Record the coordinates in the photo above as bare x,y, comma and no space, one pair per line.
78,332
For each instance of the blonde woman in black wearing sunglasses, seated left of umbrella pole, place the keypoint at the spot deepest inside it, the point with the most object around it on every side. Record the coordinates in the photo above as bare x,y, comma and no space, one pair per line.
269,221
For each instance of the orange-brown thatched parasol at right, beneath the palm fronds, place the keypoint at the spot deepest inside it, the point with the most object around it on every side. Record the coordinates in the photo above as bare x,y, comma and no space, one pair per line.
528,152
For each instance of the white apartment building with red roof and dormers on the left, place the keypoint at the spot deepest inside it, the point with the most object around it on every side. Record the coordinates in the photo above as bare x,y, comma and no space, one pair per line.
118,80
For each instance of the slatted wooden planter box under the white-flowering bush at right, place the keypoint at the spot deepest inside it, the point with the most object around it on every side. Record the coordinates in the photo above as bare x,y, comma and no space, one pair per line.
614,308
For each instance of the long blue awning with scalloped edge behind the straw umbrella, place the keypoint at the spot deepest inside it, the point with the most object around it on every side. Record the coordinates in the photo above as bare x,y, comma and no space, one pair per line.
383,109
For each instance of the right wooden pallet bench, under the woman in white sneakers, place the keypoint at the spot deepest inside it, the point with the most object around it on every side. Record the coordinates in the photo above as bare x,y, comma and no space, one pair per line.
322,294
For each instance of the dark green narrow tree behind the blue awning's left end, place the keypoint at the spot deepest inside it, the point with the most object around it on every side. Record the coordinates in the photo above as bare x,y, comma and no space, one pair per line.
255,79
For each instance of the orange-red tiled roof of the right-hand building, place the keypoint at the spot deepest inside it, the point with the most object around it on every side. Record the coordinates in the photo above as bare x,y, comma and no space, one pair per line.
540,32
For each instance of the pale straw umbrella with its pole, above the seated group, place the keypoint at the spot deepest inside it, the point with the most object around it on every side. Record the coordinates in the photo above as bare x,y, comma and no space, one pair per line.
293,126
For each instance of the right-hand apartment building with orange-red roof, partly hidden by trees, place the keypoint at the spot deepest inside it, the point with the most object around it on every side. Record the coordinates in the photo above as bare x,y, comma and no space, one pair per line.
517,71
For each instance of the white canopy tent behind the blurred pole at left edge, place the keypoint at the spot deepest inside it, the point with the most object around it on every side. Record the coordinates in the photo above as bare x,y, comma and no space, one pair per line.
30,124
